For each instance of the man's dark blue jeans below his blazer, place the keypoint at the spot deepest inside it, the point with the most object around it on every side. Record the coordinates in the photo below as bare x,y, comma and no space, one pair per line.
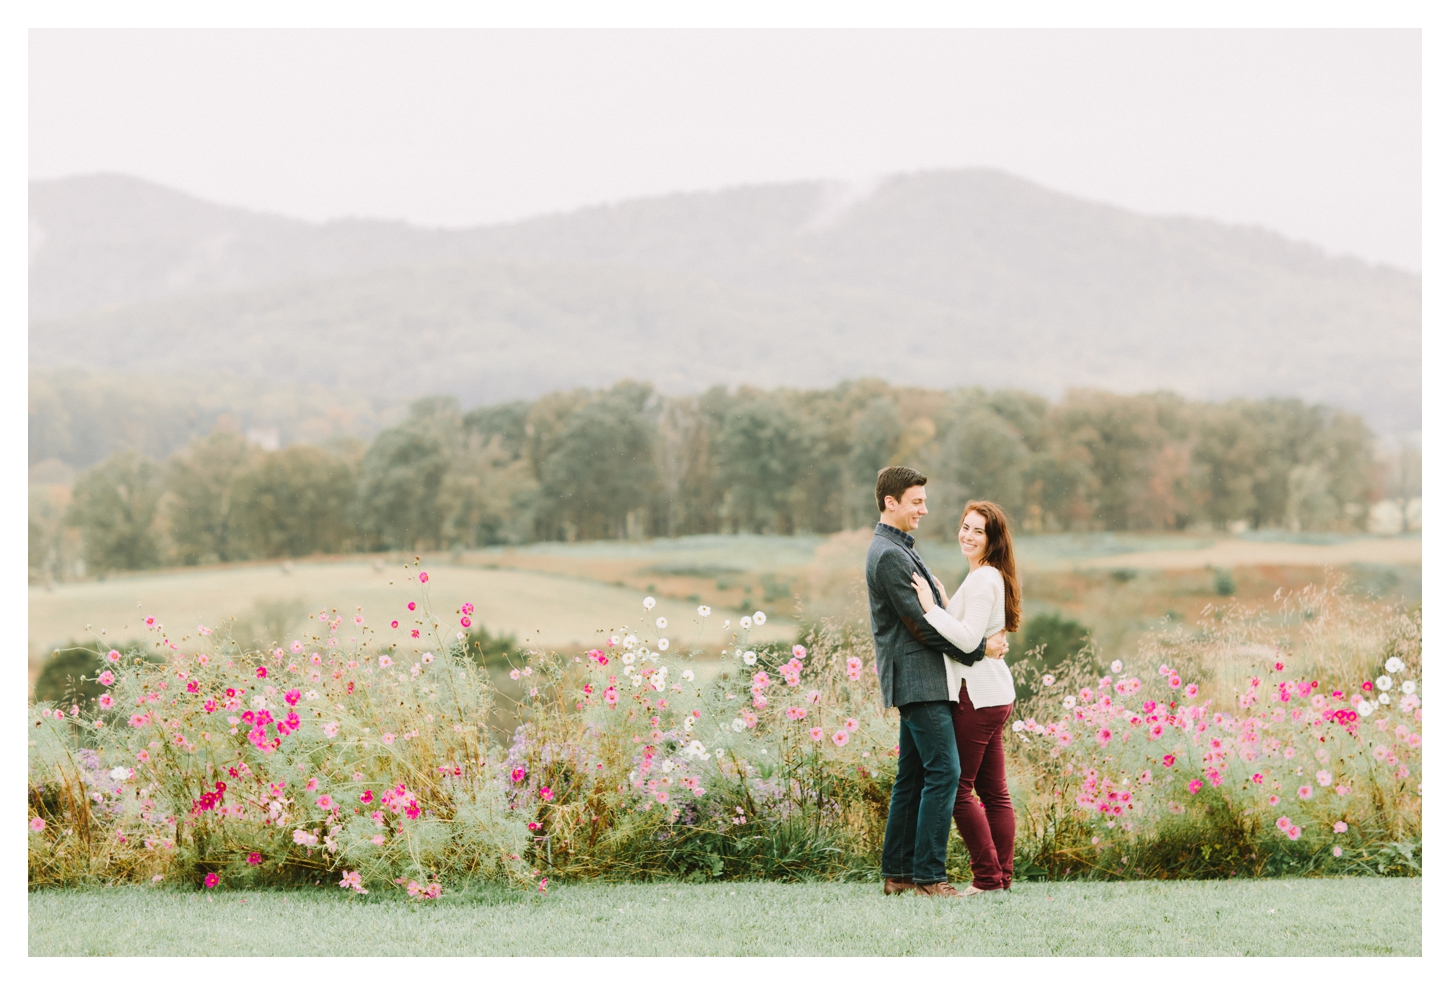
927,774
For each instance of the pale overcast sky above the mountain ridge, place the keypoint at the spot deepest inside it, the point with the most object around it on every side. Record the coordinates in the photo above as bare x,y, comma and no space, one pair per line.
1314,134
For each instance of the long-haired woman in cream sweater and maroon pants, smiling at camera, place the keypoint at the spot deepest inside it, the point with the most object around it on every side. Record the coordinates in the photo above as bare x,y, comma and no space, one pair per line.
988,601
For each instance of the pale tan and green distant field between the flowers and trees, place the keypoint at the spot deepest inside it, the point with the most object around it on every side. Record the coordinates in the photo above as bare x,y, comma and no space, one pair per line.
568,594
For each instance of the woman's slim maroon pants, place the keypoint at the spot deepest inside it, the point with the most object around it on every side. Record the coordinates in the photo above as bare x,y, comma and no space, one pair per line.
984,810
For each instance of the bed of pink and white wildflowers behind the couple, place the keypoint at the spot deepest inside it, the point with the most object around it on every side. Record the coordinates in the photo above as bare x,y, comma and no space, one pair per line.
366,757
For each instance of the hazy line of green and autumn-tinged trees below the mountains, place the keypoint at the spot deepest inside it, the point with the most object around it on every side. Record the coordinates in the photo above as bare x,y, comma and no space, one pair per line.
631,462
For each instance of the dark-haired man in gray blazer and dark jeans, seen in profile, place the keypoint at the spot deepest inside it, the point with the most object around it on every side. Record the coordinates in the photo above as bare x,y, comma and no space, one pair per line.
914,681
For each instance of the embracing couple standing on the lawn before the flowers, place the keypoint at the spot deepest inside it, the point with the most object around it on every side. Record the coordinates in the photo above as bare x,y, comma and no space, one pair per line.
940,665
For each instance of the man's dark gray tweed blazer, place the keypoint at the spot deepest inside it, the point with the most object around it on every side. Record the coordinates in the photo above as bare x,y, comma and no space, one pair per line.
908,649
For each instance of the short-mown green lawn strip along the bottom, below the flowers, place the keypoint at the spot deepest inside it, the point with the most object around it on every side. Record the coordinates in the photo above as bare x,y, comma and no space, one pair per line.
1272,918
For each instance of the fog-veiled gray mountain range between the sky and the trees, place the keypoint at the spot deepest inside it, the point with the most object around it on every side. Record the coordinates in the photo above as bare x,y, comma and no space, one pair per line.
939,279
